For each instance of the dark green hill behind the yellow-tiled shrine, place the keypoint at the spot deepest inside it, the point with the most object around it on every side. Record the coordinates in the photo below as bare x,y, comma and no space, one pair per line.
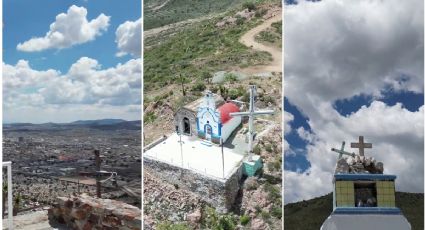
312,213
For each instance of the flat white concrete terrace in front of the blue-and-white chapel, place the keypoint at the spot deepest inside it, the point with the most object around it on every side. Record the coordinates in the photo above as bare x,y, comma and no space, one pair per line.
197,156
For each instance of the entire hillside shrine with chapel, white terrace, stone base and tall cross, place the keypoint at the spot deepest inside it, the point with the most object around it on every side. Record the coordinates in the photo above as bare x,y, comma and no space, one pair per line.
209,152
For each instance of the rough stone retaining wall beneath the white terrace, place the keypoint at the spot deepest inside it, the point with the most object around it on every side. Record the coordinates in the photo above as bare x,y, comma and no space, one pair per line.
219,193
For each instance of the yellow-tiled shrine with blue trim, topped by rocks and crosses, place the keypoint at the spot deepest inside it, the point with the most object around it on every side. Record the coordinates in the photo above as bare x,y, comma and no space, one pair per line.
363,196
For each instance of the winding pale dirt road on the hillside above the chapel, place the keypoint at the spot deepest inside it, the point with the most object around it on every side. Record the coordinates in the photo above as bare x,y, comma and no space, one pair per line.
248,39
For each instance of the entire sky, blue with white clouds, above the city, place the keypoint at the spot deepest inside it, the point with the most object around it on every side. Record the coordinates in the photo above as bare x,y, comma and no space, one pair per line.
24,20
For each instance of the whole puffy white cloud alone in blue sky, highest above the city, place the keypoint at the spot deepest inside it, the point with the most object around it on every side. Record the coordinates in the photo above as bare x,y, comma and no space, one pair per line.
70,28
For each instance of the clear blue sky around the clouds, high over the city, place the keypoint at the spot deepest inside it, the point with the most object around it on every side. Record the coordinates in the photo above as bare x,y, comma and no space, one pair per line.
17,14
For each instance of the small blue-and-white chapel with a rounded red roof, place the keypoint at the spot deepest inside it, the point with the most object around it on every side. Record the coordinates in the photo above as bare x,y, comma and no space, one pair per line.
208,118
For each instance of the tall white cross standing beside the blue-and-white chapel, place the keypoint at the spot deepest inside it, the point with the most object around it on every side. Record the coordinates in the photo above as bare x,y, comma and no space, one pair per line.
251,114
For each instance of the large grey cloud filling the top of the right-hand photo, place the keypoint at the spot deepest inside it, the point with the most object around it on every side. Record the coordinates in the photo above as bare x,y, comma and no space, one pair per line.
346,48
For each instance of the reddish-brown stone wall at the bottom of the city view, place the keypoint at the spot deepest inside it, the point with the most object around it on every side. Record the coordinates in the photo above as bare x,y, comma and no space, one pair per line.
85,212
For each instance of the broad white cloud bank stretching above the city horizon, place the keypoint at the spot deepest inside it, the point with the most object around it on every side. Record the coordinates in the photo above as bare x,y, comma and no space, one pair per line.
85,83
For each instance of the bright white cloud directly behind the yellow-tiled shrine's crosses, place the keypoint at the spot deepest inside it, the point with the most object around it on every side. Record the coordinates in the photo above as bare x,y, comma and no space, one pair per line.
397,137
